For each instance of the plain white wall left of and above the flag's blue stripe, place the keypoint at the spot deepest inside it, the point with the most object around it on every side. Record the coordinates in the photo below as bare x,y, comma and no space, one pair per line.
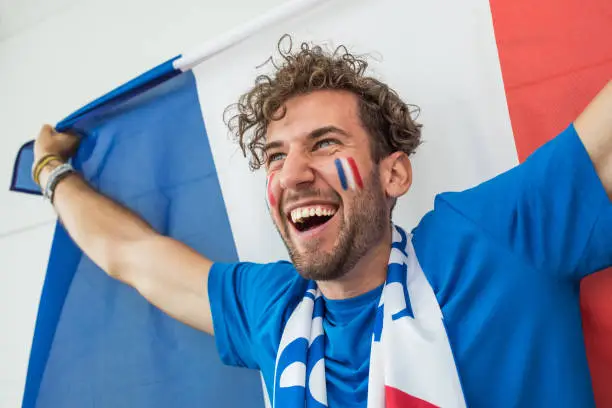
55,57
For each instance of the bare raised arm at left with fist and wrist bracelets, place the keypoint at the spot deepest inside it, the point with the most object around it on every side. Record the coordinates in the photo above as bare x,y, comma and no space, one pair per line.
166,272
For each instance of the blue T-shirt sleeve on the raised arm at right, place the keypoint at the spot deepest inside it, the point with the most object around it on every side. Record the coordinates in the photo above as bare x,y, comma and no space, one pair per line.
552,210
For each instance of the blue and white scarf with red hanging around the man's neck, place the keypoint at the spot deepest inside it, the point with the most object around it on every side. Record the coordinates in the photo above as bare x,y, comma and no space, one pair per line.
411,362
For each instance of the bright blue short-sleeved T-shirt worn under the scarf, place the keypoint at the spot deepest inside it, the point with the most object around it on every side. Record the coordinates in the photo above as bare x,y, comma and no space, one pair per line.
505,260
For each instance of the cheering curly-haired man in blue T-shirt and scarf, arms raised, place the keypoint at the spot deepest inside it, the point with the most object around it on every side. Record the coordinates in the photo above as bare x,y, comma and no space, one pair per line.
477,306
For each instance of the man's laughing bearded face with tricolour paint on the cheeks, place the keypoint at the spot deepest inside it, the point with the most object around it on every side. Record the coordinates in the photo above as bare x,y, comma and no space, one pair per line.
324,191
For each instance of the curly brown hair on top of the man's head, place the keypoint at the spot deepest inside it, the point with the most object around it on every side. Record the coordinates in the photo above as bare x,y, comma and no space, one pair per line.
384,115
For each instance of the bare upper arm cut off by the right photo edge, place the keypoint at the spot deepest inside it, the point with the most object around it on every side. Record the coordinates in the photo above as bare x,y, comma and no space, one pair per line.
594,127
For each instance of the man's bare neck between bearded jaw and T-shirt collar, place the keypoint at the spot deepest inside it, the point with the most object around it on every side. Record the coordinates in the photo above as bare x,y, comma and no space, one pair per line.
369,273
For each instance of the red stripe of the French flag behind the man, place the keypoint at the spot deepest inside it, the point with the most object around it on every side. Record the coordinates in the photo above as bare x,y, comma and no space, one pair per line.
555,57
